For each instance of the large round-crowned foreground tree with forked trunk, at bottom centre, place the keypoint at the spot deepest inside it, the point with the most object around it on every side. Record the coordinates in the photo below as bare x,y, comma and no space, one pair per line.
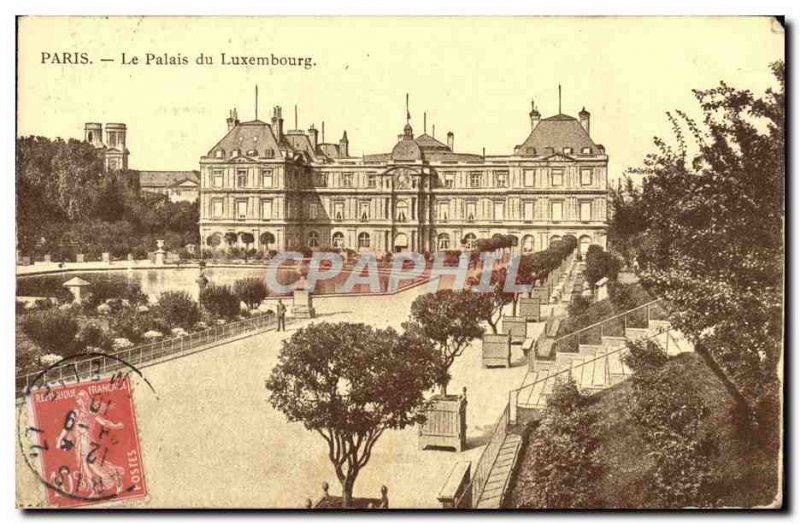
350,383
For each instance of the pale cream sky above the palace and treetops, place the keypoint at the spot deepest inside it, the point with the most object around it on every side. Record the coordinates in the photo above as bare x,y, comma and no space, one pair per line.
475,77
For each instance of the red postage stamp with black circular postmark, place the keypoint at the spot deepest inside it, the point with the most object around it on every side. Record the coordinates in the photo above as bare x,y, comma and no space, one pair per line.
87,442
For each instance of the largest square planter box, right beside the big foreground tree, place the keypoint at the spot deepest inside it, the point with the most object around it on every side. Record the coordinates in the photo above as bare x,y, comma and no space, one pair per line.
446,423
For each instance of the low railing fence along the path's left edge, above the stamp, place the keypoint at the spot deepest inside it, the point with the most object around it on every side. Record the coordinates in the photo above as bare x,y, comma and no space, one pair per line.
96,365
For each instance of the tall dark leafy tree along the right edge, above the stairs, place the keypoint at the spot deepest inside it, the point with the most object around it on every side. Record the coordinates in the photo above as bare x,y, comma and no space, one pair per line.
714,230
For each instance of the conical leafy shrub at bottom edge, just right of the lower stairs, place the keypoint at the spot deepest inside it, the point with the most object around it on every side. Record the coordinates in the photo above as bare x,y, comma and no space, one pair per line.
561,468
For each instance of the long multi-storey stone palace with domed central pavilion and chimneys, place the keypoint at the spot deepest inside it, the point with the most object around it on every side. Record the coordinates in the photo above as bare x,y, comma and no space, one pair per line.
267,188
